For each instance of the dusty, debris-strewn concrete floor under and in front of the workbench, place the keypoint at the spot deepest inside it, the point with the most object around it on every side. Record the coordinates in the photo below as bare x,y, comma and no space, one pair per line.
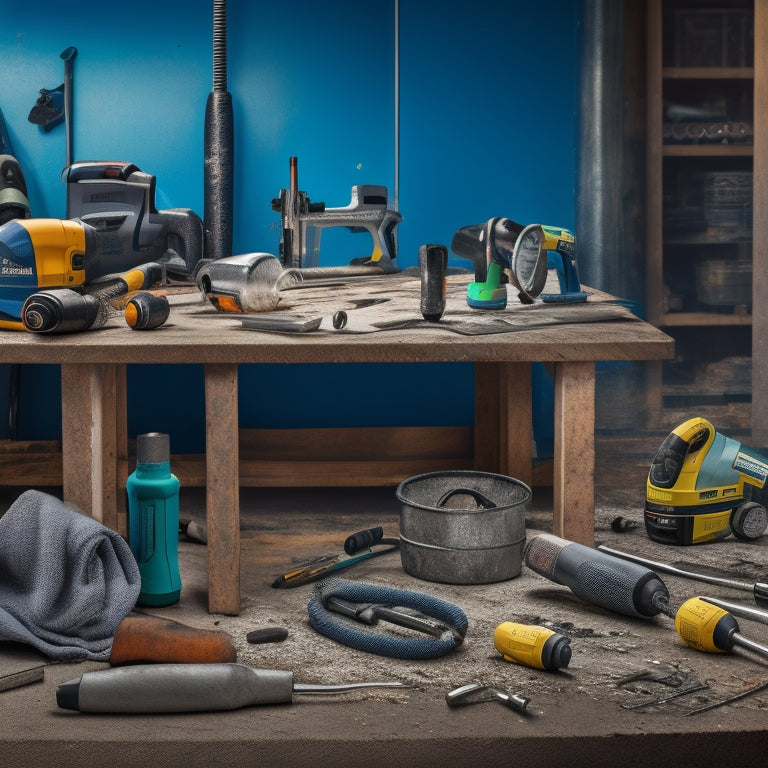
584,715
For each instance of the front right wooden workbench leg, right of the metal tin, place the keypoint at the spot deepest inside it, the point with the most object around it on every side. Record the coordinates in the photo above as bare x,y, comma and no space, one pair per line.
574,470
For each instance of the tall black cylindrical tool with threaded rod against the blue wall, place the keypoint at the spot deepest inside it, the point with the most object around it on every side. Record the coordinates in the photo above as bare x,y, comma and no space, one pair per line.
218,171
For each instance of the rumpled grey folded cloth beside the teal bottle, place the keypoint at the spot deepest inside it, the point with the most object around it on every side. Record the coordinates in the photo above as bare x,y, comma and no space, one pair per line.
66,580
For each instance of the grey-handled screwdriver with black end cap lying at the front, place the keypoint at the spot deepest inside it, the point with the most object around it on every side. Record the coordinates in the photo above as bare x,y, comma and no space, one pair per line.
167,688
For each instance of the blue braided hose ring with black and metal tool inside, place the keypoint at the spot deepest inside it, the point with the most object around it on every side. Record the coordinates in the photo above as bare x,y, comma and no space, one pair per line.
443,622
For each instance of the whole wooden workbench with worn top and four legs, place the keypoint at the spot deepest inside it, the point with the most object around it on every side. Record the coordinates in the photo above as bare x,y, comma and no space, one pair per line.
93,366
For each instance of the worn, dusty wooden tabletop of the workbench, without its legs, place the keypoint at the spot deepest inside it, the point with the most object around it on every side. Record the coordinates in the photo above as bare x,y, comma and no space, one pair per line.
384,325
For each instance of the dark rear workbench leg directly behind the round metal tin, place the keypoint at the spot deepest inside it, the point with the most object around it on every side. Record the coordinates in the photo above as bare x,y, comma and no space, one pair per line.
503,419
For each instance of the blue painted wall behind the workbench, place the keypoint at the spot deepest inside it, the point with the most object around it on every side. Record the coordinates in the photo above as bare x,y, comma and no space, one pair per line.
488,95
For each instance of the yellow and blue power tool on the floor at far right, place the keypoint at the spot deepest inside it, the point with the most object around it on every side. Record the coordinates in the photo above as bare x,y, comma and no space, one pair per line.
702,486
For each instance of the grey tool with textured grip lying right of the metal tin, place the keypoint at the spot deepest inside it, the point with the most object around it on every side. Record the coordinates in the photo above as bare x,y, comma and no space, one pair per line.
597,577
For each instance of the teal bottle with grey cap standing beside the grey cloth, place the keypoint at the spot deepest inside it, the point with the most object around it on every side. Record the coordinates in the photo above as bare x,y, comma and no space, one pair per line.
153,520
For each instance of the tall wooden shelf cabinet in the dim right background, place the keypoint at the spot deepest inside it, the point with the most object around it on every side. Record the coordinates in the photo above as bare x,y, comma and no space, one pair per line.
706,200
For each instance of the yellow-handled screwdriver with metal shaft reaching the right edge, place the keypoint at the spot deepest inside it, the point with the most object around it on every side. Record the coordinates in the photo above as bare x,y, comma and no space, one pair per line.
710,628
